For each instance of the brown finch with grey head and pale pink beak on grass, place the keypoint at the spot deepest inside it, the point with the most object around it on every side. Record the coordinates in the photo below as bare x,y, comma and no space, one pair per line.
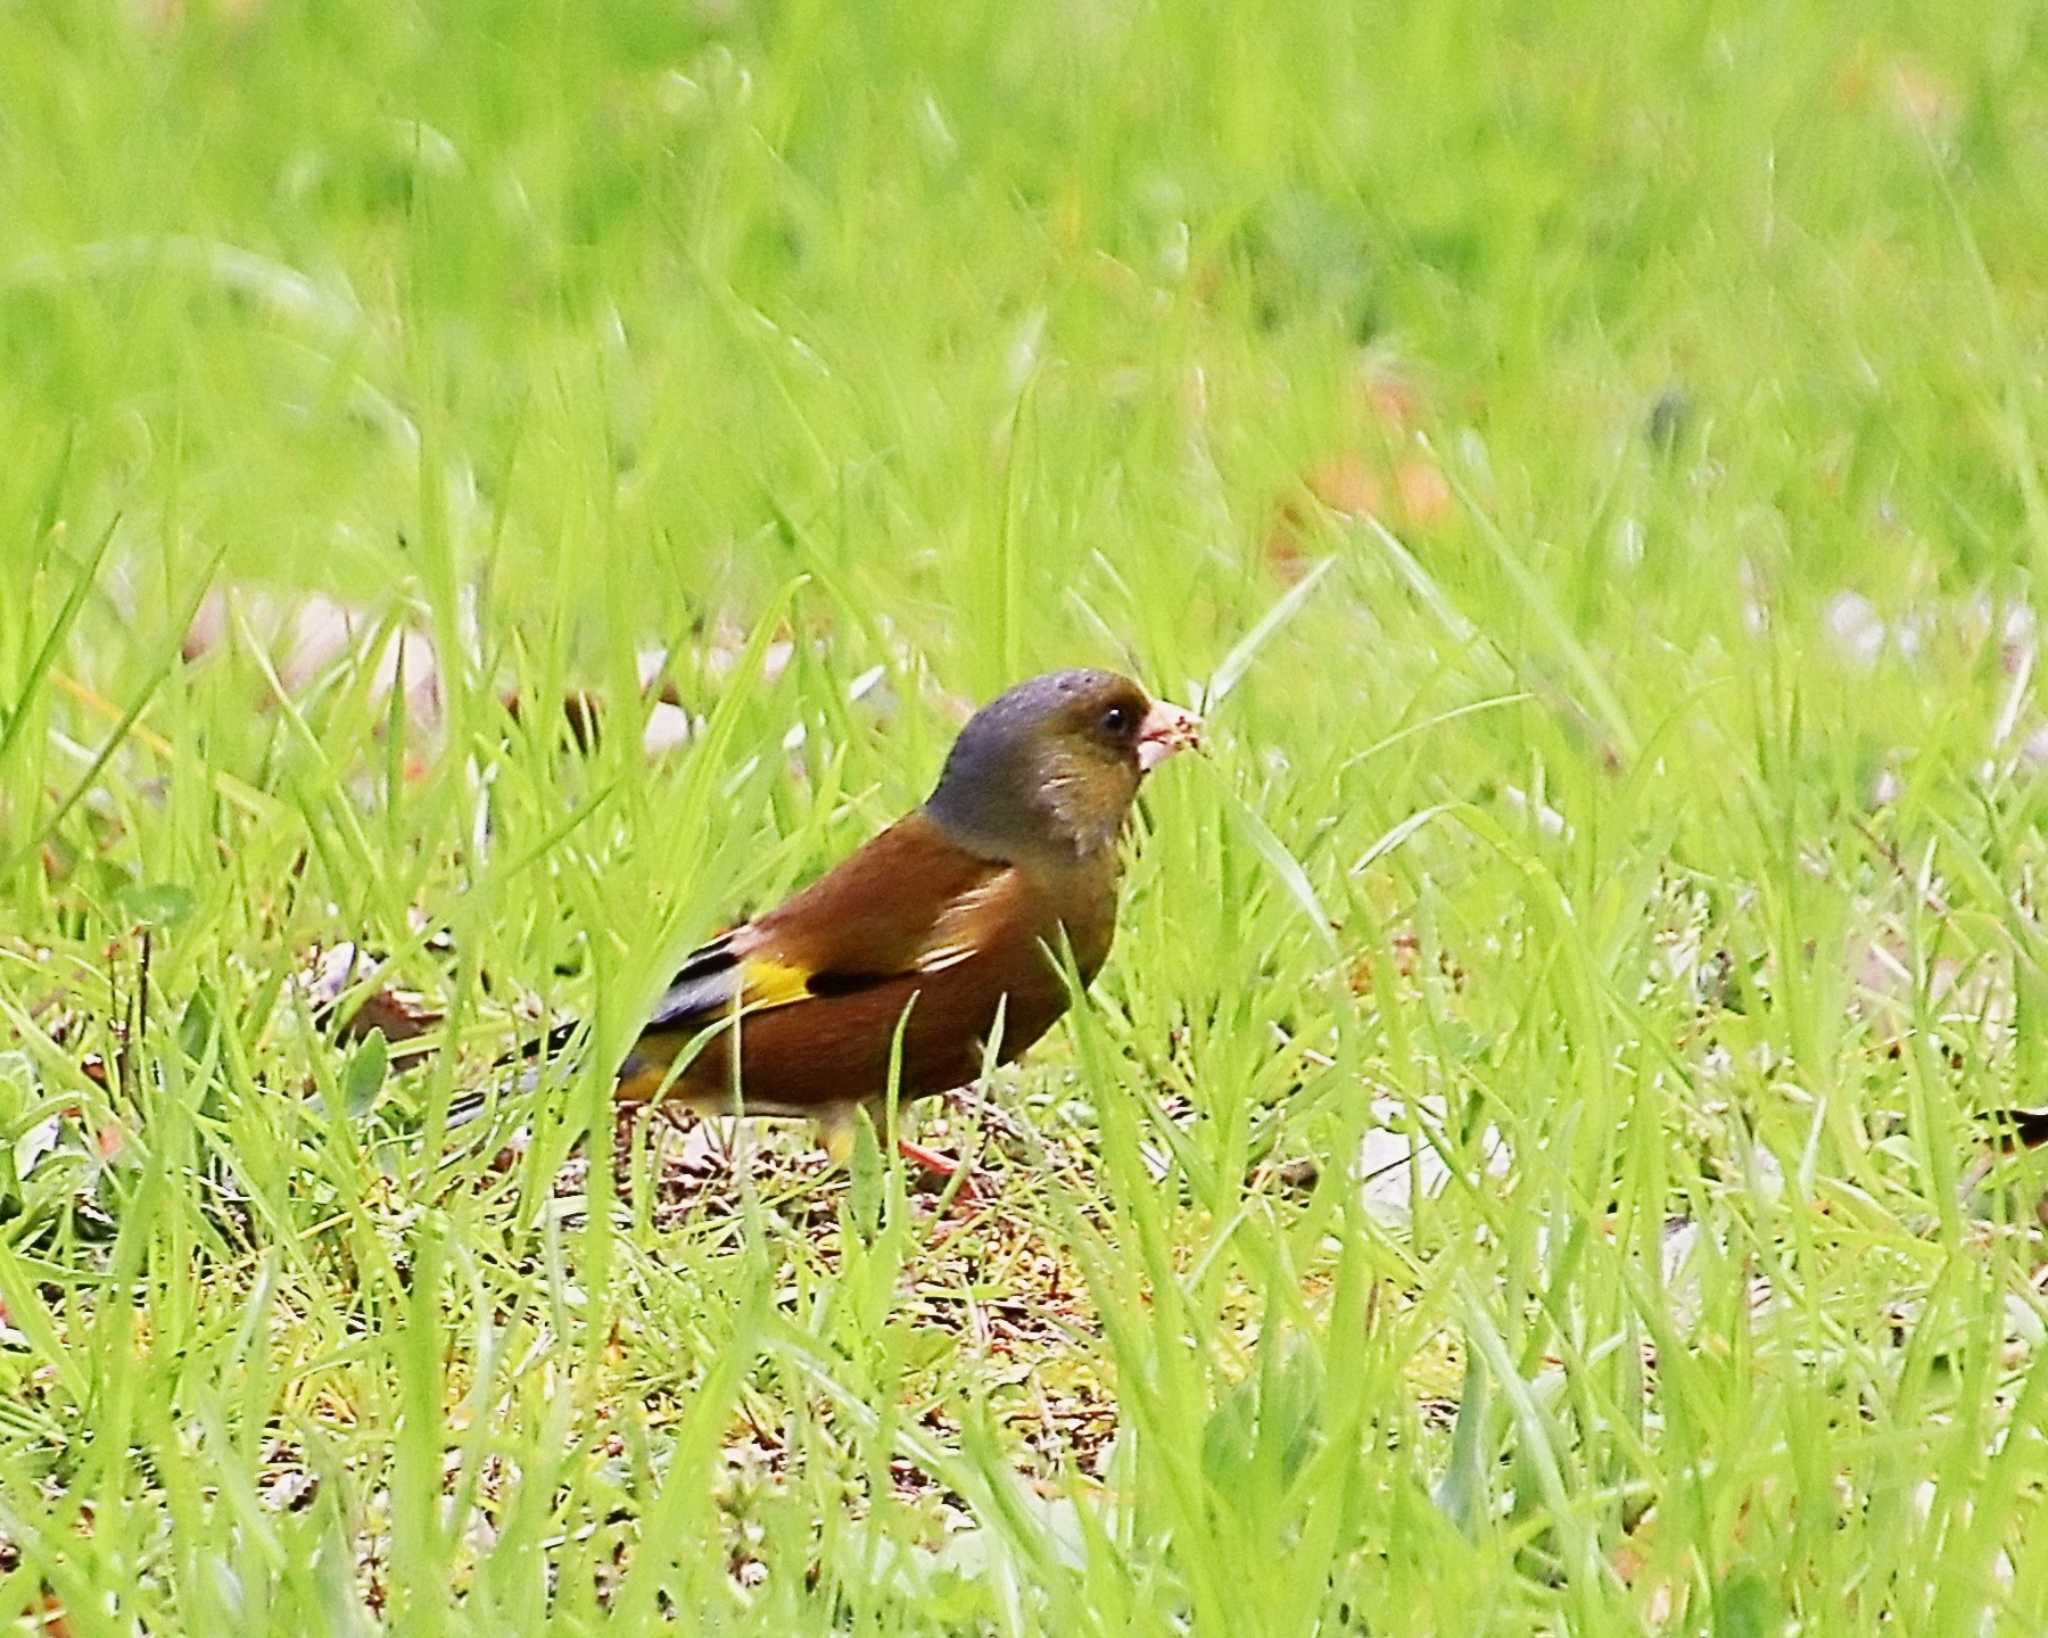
945,929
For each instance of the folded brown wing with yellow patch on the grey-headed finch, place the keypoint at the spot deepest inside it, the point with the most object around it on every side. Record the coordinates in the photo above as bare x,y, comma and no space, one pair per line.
910,902
